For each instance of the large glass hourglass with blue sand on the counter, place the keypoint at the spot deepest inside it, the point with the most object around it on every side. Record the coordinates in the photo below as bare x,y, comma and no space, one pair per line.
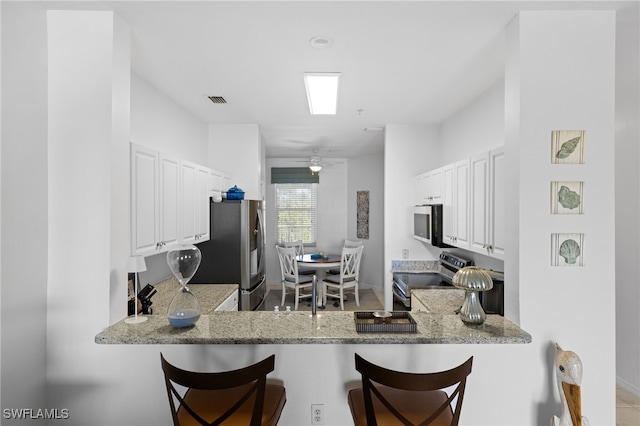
184,309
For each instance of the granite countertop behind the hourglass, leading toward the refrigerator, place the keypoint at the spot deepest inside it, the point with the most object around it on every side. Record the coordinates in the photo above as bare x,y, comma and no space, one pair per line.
209,296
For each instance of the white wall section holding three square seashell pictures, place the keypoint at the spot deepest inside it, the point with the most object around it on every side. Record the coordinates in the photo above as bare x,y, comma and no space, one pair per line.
573,306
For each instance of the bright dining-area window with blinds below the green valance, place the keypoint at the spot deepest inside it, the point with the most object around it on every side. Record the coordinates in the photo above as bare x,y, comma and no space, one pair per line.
296,212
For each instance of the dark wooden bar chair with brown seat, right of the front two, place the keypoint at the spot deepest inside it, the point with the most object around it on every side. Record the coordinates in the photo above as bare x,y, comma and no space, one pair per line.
389,397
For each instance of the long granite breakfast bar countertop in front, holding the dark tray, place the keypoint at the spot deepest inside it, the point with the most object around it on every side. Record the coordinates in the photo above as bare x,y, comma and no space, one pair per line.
265,327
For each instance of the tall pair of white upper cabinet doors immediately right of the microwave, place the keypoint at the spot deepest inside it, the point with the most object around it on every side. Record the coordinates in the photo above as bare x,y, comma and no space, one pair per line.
455,203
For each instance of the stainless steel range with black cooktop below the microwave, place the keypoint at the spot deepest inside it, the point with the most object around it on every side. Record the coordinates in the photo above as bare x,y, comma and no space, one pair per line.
404,282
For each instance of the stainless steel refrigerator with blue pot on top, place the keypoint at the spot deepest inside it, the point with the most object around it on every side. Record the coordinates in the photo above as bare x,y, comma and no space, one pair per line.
234,253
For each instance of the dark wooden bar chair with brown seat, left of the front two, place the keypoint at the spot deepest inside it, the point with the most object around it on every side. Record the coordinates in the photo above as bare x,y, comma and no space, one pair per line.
238,397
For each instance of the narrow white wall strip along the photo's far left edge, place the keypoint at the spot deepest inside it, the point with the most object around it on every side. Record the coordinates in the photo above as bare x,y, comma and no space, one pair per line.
24,205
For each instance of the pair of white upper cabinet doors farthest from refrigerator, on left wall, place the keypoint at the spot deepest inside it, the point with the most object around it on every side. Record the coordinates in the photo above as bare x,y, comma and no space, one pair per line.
154,201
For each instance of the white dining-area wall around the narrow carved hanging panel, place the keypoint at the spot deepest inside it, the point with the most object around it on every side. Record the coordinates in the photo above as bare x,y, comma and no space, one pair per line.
367,174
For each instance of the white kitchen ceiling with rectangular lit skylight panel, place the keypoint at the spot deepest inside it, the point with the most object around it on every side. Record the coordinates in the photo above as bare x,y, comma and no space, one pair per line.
401,62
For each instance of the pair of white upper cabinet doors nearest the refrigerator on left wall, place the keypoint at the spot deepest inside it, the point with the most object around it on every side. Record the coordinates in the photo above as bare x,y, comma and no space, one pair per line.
194,201
